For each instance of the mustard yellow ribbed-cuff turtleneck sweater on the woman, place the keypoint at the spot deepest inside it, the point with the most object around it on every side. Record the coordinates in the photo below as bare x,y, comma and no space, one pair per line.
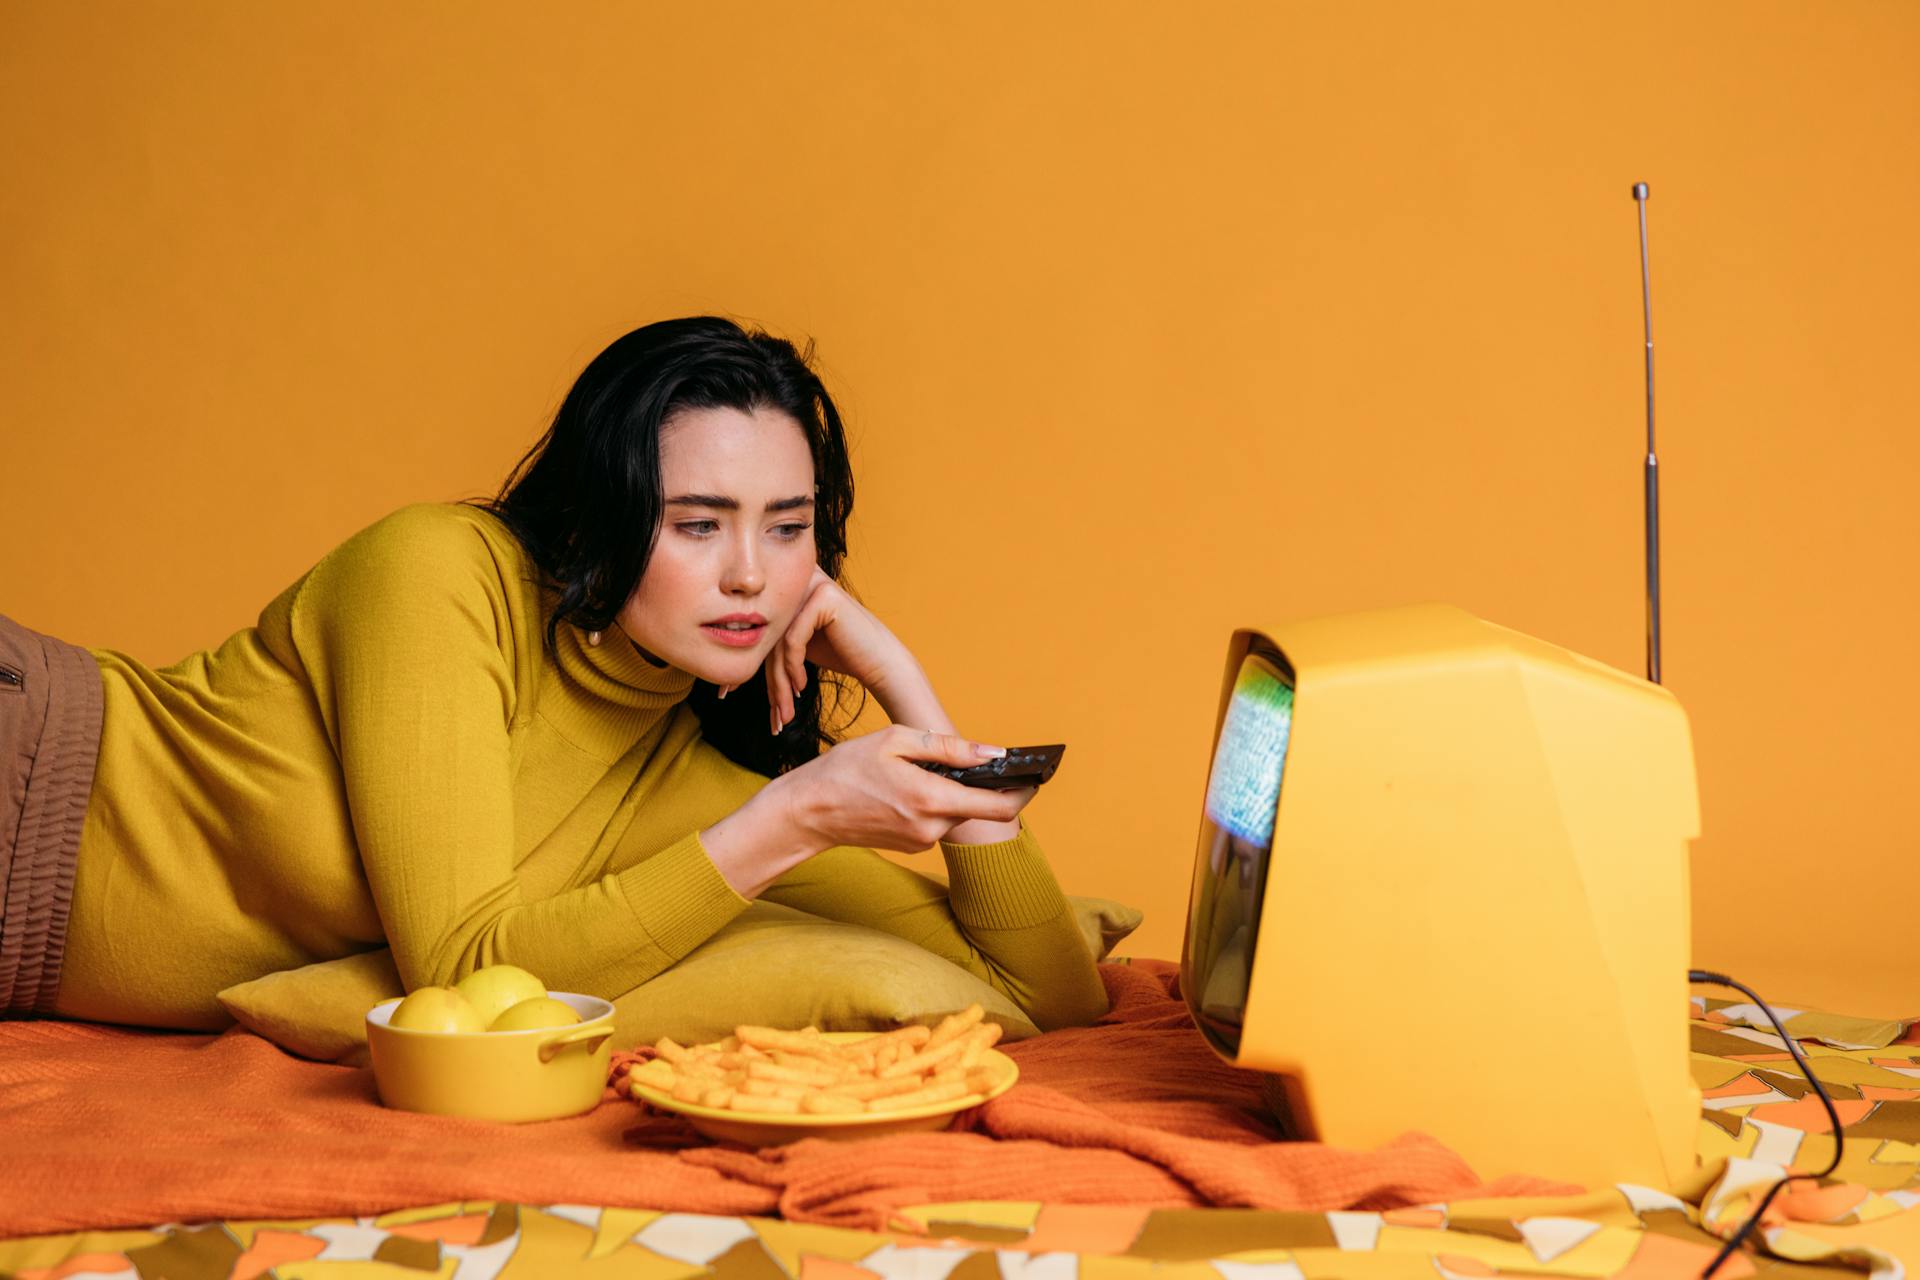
393,759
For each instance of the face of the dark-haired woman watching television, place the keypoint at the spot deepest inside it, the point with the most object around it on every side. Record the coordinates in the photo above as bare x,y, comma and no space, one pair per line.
736,540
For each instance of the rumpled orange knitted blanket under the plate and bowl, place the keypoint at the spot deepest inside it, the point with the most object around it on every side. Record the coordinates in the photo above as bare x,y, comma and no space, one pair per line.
112,1127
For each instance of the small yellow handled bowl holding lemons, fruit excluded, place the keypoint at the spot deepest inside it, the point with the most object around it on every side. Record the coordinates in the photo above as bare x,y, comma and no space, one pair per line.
494,1076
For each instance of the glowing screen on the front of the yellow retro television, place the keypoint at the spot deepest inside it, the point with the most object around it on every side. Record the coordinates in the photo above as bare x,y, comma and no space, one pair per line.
1236,840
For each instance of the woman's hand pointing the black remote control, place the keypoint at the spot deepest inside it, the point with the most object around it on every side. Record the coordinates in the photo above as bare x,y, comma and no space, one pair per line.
869,792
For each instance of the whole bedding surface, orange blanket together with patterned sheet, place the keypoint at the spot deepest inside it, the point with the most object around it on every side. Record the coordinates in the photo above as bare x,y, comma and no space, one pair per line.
1126,1149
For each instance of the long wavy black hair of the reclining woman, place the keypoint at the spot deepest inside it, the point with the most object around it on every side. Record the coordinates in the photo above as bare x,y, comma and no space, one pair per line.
587,500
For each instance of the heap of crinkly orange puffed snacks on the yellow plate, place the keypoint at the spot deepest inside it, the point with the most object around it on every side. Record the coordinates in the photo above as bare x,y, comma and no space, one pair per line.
767,1072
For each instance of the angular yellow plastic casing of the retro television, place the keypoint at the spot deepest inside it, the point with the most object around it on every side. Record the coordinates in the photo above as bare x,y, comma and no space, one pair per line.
1476,911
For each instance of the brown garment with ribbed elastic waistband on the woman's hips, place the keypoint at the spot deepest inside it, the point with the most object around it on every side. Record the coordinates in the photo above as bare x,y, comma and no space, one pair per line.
49,744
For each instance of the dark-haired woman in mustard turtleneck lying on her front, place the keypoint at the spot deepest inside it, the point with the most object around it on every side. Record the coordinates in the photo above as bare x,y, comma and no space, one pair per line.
575,730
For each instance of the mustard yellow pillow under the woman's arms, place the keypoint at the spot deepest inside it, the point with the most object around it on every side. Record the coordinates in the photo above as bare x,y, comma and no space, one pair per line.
857,980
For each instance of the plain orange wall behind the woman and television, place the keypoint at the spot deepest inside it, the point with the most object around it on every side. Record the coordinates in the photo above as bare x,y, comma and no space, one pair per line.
1145,323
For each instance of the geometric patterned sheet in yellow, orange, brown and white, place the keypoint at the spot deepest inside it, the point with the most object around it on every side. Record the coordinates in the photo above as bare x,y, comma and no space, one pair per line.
1758,1120
